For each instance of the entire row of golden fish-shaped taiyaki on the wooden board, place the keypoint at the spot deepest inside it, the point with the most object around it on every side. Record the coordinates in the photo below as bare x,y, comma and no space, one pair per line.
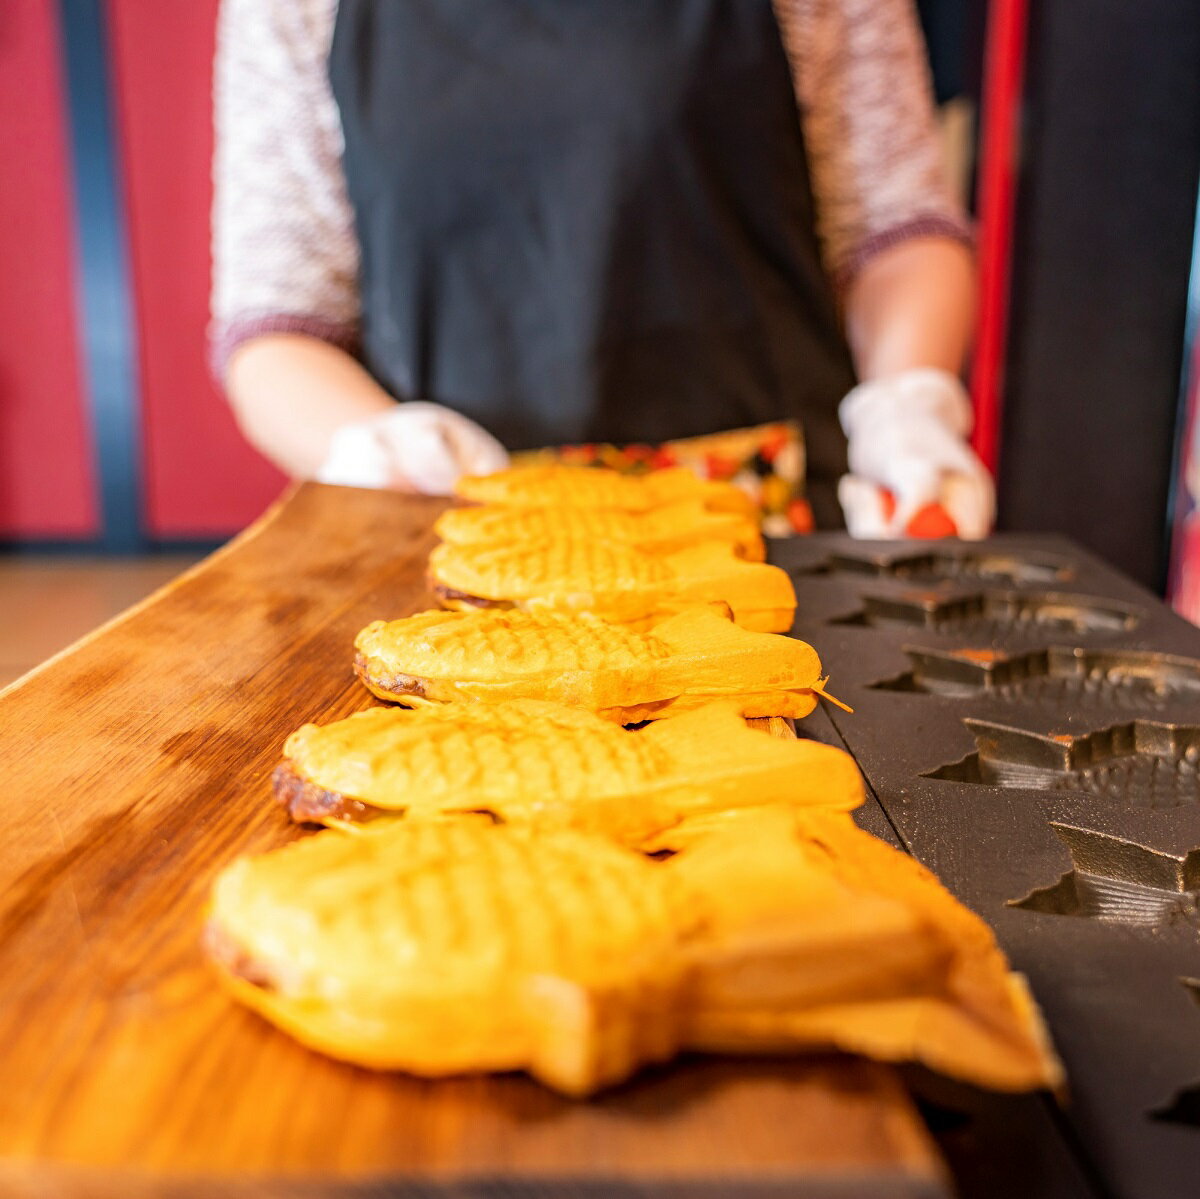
512,880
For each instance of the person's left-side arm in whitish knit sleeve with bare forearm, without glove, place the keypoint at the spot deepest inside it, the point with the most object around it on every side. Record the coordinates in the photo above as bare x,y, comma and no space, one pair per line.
285,253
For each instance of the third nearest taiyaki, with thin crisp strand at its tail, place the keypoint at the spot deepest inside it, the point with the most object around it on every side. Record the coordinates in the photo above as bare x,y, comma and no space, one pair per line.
494,655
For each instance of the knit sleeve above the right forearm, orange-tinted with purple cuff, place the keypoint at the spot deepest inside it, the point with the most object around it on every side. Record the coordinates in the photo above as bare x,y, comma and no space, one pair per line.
862,80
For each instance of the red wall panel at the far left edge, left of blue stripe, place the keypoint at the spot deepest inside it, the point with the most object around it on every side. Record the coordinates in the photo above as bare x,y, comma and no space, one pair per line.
46,476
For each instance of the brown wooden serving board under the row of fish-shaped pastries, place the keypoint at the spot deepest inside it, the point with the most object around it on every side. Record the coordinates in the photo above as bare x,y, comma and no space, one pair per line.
136,765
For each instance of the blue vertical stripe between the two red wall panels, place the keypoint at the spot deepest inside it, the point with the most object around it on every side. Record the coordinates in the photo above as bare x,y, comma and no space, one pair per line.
106,308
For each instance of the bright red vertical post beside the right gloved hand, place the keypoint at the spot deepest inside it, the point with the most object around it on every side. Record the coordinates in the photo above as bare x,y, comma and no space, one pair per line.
1004,74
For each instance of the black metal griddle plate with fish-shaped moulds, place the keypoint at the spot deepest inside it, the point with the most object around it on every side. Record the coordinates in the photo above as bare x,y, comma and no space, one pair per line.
1065,813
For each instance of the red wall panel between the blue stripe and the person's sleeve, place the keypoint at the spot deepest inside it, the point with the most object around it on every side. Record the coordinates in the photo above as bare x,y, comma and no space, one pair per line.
201,476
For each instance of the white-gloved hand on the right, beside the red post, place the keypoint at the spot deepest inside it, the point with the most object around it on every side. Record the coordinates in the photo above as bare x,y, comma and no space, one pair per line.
909,458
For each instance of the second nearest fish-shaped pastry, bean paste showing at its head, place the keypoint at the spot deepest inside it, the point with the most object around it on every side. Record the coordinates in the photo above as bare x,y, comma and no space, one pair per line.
531,763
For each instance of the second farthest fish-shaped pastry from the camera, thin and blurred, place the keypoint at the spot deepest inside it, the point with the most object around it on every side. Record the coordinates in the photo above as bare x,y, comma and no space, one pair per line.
659,531
